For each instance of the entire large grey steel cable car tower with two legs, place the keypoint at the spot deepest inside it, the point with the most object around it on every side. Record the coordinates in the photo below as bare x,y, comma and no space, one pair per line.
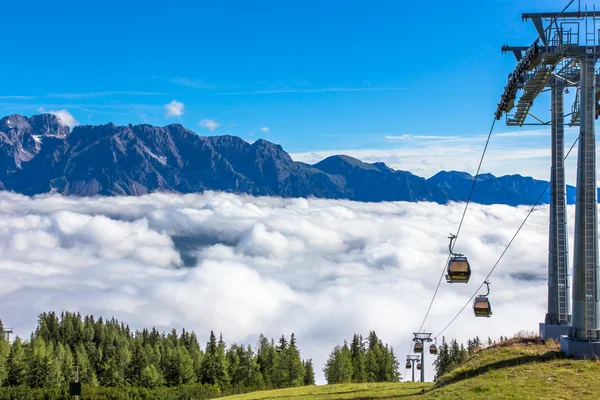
564,56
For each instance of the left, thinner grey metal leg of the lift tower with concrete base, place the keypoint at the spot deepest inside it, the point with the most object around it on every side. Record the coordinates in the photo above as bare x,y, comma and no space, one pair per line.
558,317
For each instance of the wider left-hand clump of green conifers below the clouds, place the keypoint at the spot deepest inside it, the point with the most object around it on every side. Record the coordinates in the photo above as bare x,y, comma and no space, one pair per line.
108,354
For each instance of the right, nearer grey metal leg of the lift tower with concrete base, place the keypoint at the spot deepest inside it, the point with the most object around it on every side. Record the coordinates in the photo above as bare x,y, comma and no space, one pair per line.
584,336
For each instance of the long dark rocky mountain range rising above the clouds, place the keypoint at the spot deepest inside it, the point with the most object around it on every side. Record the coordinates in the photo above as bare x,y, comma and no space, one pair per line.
39,155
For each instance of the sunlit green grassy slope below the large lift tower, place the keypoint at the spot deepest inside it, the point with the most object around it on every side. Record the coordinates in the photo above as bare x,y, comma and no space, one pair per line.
521,368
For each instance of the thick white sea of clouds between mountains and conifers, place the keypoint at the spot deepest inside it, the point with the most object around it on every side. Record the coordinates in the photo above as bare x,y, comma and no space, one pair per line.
244,265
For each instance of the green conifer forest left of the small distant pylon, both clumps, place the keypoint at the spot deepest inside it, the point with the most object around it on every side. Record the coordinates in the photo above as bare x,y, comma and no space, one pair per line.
115,363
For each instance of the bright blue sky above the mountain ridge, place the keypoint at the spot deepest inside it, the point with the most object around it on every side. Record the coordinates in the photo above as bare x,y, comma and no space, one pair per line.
319,75
